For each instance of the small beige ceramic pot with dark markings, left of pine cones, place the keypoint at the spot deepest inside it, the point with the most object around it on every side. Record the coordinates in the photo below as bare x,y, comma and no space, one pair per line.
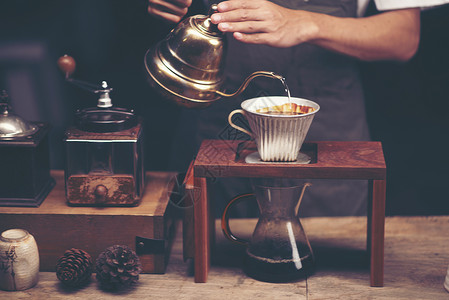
19,260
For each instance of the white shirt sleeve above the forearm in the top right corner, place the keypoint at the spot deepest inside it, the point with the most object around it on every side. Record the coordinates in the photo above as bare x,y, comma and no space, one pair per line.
382,5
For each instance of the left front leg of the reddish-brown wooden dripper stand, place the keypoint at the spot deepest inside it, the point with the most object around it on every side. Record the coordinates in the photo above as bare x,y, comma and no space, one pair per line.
202,230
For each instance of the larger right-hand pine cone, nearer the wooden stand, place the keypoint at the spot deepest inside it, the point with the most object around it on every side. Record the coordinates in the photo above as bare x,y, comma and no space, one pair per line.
118,266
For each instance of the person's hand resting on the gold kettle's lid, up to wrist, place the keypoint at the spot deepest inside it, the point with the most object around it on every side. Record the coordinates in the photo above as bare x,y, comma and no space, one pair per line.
263,22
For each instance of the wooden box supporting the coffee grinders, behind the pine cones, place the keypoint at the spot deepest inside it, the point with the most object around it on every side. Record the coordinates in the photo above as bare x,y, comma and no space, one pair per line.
57,227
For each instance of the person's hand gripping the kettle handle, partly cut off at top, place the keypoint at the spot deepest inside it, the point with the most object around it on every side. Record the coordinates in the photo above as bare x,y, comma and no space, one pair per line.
169,10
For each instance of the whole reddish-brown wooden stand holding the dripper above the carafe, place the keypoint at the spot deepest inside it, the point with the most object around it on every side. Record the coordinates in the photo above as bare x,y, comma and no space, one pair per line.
329,160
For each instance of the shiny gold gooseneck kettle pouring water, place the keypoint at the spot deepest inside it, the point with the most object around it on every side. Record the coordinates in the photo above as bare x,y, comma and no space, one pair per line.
187,66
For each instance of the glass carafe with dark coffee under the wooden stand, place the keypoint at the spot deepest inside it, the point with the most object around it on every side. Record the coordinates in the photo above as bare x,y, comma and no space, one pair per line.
279,250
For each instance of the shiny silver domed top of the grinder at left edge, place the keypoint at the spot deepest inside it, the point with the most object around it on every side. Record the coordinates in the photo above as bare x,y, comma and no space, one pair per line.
12,125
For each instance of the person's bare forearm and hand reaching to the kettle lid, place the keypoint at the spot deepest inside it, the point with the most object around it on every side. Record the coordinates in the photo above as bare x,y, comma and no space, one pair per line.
391,35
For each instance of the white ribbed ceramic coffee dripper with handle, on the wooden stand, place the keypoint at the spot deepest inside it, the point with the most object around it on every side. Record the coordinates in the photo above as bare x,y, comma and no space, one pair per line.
278,137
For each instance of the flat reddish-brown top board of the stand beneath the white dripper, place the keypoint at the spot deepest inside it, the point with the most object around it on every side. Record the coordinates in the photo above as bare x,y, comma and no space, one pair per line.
345,160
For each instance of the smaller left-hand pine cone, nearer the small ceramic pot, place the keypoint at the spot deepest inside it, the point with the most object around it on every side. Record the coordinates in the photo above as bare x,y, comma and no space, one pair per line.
74,268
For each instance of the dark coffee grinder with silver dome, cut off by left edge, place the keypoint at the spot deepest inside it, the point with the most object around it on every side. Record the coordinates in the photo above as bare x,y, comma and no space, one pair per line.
24,159
